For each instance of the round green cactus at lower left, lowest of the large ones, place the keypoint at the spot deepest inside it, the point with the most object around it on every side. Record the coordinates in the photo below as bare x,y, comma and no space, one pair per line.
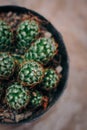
17,97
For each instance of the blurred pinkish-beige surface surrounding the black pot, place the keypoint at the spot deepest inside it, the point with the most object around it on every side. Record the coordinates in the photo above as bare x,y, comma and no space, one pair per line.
70,18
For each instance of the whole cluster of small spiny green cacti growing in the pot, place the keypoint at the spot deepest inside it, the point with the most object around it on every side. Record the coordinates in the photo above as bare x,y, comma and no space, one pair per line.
31,67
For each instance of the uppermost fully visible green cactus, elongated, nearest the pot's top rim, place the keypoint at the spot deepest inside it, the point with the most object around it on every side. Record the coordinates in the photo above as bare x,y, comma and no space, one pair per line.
26,33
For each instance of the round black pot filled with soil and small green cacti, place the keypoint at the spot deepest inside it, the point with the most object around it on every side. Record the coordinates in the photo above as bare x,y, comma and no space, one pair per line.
31,50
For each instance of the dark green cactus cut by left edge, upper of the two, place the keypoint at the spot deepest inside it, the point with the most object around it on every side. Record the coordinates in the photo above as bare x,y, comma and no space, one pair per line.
5,36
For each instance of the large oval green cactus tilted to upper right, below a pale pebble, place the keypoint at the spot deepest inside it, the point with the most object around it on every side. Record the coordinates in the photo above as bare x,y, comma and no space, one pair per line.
43,50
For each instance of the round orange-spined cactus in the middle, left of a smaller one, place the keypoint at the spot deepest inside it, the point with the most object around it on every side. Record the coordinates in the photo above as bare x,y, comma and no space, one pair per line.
31,73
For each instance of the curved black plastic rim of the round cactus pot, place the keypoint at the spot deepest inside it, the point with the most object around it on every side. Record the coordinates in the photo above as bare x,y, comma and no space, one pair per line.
62,51
